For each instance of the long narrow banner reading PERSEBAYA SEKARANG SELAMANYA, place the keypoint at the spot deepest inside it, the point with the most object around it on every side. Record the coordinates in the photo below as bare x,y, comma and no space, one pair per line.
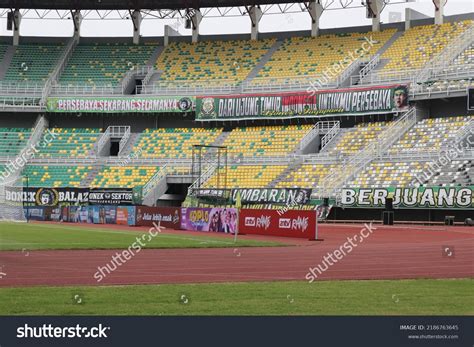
121,105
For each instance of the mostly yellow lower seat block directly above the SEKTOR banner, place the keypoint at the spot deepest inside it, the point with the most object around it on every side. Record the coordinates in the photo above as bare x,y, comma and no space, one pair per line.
124,176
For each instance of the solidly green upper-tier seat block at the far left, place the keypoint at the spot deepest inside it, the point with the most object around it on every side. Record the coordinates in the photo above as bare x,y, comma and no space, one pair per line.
33,62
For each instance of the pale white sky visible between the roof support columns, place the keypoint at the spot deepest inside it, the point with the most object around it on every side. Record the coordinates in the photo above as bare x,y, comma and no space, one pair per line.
332,17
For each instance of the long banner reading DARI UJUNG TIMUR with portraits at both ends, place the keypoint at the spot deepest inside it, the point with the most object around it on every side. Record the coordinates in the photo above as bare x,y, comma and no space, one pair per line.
353,101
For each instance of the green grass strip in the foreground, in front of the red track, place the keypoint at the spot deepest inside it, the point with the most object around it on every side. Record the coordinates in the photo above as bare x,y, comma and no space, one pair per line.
401,297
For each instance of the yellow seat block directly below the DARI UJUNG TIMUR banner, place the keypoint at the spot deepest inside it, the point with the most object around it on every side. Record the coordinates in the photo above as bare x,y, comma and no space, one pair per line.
265,141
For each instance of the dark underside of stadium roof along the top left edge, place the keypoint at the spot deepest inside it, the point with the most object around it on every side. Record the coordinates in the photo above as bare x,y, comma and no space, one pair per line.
129,4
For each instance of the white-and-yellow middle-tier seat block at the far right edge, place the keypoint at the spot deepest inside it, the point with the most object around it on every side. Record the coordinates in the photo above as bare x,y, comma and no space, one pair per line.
430,134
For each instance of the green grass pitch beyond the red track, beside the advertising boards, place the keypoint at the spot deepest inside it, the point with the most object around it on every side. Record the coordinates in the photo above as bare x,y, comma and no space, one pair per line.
35,236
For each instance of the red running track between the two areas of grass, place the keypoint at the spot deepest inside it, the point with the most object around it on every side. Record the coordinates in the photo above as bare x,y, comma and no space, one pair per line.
389,253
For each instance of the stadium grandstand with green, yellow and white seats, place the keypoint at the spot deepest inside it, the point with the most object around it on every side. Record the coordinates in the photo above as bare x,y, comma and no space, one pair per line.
173,117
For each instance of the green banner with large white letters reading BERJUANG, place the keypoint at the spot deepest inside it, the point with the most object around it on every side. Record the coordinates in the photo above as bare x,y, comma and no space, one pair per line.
421,197
